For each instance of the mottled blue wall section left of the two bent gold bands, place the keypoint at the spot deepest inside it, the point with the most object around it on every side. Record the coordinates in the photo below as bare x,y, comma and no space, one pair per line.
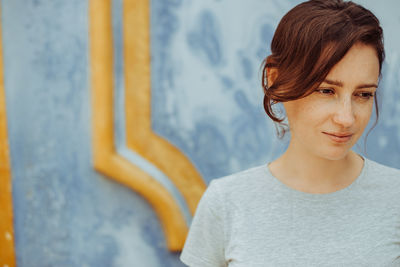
65,213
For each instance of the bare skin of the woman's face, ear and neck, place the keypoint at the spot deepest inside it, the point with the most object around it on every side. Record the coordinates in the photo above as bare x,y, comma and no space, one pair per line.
316,161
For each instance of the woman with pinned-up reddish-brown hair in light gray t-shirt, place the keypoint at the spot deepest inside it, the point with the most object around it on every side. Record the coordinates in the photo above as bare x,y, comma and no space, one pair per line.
320,203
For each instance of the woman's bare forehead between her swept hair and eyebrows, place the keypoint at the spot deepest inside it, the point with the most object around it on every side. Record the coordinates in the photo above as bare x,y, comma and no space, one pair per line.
359,65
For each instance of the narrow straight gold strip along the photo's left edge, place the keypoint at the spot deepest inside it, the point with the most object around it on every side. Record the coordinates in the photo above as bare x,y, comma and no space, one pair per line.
7,253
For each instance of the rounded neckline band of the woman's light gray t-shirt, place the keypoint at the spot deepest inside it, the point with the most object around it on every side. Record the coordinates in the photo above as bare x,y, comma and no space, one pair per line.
315,196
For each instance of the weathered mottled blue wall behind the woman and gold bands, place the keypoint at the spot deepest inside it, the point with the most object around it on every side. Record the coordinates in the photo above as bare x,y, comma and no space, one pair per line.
207,100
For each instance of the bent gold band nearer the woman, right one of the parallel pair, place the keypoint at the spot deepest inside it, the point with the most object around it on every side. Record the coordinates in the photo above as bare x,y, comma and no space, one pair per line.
139,135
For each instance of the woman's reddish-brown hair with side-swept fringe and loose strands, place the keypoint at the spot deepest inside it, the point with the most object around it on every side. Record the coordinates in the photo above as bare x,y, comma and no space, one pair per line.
310,39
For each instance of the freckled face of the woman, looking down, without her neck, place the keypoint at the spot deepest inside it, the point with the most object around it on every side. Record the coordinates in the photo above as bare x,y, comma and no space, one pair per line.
329,122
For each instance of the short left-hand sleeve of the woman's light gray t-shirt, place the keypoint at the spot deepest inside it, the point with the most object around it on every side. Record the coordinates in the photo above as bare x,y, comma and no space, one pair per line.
204,244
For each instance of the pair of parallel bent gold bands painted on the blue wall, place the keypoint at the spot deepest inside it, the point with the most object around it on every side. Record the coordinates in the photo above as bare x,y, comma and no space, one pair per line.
140,137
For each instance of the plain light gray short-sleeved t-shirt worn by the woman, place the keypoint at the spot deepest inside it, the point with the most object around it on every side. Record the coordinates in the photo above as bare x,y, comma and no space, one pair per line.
252,219
